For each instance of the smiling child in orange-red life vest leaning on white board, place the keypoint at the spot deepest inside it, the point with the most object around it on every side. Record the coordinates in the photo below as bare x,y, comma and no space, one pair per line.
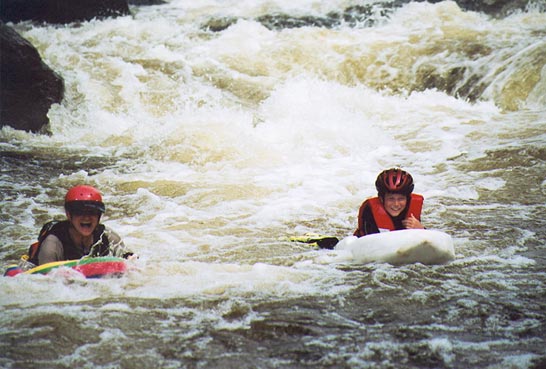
395,207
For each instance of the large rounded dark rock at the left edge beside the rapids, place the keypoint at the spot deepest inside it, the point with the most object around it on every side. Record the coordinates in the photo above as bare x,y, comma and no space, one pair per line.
28,87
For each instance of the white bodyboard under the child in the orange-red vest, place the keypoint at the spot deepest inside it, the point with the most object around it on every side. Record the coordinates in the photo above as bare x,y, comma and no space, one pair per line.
401,247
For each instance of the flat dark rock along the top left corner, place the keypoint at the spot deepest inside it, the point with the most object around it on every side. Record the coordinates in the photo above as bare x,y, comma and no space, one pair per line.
60,11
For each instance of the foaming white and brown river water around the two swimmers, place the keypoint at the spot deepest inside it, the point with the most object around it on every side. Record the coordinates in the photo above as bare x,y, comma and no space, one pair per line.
217,129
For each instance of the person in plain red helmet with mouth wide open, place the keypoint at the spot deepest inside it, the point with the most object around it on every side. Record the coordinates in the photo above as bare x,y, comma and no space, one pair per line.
81,234
